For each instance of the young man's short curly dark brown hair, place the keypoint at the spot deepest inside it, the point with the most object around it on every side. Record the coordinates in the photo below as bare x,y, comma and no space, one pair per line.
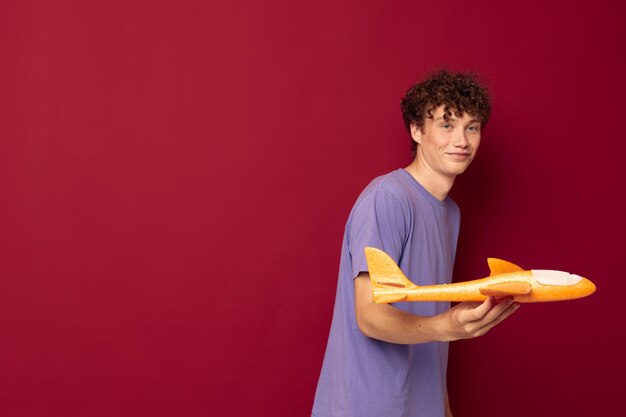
456,91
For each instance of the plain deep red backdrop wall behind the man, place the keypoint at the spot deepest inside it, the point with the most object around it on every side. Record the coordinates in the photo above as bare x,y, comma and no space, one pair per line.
175,177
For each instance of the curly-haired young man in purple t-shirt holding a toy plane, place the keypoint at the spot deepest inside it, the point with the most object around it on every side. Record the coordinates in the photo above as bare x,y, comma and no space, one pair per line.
391,360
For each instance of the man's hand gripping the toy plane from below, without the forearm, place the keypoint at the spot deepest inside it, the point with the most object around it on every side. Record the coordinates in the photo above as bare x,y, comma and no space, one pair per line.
467,320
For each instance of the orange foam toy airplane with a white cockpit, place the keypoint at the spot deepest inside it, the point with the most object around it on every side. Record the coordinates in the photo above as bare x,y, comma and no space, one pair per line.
390,285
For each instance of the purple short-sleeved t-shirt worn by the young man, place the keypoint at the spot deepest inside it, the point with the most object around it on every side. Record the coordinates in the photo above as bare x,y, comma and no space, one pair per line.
365,377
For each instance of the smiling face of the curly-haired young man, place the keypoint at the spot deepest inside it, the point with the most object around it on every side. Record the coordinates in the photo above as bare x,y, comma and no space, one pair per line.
447,147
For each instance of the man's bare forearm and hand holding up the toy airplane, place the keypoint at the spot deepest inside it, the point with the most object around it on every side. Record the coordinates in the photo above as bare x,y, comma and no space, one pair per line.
463,321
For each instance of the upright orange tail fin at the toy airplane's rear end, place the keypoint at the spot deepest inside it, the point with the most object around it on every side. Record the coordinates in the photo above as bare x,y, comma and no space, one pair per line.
388,280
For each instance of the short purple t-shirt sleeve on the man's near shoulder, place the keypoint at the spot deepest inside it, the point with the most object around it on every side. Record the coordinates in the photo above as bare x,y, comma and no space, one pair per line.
379,220
